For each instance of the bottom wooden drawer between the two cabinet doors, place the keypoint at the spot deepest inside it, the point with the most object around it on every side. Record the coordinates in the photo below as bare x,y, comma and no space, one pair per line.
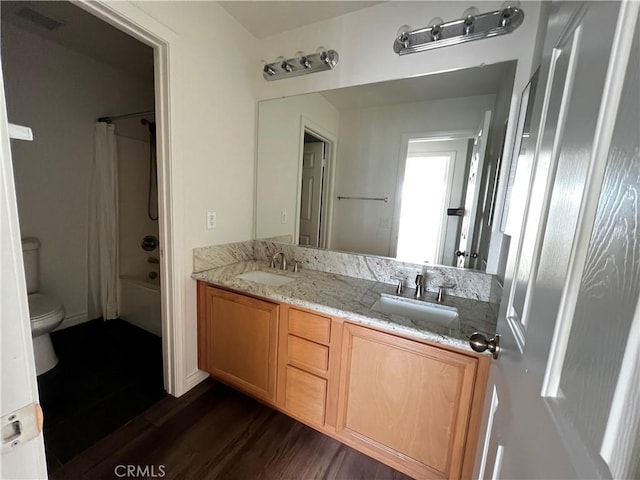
305,395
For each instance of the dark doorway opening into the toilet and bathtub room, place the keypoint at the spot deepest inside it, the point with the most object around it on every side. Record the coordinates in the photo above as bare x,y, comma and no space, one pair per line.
111,360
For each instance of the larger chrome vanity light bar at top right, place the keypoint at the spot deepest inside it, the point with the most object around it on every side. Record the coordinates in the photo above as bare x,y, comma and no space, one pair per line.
472,27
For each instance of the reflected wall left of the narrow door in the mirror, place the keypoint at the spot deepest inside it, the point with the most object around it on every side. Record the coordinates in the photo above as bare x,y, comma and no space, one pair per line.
278,166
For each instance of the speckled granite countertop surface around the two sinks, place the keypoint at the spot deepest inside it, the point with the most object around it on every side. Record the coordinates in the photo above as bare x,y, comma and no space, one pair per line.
351,299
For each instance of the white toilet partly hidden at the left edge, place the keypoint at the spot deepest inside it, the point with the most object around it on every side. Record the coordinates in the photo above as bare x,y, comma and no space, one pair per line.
46,313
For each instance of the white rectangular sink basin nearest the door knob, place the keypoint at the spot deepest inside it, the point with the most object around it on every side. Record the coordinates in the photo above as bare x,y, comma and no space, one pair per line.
417,310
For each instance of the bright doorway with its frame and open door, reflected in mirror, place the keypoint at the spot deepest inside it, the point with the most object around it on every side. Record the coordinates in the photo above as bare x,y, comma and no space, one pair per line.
448,229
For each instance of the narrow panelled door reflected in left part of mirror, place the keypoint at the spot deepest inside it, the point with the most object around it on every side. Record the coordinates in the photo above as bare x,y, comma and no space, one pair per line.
311,193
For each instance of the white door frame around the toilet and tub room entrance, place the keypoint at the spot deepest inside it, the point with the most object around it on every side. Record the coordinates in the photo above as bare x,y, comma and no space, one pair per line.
139,25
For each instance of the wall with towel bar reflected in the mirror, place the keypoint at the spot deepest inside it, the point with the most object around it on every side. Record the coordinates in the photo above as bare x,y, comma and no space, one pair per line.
369,149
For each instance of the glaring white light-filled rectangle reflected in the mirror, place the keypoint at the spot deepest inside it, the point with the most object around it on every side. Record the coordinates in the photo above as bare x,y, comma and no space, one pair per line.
426,193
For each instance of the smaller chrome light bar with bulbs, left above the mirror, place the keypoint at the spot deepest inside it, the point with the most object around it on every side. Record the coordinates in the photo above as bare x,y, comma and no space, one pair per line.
301,64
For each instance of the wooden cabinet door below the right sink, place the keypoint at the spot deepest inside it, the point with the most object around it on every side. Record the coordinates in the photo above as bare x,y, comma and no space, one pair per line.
405,402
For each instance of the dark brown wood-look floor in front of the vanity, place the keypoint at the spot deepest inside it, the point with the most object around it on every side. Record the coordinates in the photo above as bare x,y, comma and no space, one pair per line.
216,432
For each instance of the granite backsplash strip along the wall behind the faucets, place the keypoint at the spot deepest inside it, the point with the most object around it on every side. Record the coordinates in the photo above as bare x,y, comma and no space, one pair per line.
470,284
